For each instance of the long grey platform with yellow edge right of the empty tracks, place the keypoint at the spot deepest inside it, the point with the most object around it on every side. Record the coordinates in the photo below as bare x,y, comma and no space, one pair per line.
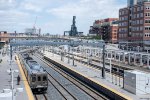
94,75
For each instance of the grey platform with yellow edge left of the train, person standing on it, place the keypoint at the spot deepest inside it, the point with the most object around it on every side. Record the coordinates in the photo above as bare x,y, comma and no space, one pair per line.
21,91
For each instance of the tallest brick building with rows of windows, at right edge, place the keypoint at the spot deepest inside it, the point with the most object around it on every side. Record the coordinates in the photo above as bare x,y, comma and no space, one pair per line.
134,25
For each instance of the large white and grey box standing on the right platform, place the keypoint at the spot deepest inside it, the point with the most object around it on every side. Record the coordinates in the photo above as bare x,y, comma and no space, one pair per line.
137,82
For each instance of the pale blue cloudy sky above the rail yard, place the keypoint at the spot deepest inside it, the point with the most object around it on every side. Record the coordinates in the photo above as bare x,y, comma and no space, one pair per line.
55,16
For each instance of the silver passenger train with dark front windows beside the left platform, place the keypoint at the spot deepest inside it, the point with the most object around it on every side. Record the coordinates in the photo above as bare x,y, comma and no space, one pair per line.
36,76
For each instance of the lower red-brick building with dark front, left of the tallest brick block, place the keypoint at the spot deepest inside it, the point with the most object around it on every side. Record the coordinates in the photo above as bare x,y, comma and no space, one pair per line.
106,28
